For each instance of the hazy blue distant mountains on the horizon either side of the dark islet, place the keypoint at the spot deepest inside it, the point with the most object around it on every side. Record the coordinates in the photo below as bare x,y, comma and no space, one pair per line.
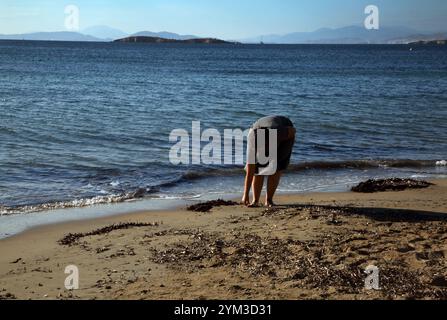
346,35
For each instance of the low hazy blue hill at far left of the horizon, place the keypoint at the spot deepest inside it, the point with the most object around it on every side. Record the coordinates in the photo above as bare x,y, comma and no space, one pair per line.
51,36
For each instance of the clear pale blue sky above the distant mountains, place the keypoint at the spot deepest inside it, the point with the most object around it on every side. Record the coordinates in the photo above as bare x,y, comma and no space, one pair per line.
229,19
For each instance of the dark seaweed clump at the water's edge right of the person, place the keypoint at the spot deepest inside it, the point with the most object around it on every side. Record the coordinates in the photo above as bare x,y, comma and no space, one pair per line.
394,184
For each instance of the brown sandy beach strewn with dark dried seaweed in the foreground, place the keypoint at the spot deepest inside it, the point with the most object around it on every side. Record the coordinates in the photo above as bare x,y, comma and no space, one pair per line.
312,246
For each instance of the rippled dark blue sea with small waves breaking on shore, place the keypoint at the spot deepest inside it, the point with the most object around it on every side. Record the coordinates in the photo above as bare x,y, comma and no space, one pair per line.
88,123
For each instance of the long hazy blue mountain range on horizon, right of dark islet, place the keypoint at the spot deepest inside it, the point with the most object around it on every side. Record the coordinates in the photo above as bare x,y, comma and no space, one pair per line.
346,35
